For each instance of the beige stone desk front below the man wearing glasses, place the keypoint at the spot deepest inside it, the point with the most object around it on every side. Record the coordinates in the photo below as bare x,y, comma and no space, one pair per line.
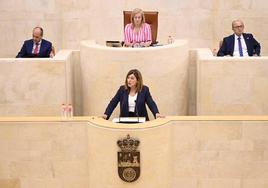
231,86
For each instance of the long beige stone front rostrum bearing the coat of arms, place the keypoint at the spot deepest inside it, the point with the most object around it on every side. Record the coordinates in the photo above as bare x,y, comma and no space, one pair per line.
187,152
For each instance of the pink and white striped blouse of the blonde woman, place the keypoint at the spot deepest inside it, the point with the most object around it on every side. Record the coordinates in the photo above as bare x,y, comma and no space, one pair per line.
144,34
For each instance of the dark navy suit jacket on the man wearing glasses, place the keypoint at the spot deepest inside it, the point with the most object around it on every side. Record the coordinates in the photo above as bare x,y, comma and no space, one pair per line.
227,47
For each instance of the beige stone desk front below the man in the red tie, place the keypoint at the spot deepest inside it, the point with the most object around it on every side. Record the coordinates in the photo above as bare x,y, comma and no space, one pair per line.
35,87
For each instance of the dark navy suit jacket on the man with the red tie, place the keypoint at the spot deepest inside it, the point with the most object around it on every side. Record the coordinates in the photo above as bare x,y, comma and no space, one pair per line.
26,50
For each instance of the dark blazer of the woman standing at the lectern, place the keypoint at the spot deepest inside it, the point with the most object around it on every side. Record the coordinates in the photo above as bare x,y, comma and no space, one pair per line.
143,97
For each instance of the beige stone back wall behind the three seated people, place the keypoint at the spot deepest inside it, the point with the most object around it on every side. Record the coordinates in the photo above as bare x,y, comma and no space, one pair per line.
66,23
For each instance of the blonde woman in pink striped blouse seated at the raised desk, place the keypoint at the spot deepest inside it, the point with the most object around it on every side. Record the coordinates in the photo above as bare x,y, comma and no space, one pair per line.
138,33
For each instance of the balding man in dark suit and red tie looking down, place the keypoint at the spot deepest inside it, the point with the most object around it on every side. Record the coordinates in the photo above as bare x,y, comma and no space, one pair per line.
36,47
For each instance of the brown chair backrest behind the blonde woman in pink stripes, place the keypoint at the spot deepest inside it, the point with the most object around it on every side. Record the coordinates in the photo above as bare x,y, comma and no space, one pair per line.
151,17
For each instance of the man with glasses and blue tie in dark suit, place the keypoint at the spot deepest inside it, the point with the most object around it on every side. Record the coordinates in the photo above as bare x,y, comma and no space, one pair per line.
239,44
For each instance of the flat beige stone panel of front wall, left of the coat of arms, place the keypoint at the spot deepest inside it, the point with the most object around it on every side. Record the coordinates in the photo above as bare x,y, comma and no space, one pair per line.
44,155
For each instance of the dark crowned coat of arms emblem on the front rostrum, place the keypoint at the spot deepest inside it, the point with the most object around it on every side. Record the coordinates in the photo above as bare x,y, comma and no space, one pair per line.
128,159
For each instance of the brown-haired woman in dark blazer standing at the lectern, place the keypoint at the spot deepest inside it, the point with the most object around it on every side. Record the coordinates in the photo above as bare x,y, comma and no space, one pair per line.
132,97
